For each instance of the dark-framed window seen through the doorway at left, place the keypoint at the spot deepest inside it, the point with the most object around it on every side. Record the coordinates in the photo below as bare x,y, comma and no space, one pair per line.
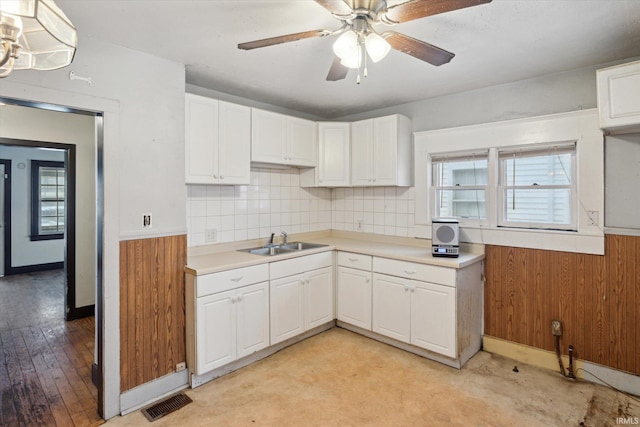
47,200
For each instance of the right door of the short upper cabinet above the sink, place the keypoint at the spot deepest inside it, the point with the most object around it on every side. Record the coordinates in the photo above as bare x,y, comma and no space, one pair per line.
301,142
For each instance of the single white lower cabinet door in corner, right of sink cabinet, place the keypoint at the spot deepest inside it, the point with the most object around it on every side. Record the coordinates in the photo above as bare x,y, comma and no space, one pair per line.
354,297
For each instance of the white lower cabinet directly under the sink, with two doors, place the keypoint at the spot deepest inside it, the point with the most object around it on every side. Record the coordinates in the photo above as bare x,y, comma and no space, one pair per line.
301,294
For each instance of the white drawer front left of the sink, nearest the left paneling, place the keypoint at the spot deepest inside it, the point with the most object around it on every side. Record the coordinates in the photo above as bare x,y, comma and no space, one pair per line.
231,279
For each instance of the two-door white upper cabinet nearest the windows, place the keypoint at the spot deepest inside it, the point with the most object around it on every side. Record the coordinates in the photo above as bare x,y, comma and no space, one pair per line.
381,152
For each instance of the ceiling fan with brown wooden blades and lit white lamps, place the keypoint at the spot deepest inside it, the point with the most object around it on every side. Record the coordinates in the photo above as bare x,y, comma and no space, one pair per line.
358,40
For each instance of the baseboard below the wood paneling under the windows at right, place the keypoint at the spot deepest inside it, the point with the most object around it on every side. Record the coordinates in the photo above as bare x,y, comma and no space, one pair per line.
584,370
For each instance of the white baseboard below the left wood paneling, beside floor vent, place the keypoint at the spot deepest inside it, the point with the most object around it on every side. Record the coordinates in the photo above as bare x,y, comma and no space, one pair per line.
141,396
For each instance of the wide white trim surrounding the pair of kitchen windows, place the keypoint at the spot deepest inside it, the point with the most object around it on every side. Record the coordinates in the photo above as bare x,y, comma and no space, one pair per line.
581,126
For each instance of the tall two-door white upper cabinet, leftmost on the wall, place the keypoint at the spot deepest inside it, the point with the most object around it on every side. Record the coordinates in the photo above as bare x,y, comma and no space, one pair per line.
218,142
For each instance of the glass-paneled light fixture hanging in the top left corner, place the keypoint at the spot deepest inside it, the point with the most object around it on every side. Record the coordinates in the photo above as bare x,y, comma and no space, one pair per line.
34,34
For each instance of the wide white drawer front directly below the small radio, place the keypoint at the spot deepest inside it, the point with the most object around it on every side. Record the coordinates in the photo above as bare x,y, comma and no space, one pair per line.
411,270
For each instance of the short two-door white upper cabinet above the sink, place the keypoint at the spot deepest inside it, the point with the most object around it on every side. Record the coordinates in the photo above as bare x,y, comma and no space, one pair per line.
281,139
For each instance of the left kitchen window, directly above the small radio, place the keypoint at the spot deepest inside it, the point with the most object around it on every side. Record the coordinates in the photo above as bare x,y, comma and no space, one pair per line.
460,183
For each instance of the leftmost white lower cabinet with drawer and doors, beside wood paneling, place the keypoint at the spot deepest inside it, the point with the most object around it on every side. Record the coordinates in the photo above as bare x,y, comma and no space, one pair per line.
227,316
